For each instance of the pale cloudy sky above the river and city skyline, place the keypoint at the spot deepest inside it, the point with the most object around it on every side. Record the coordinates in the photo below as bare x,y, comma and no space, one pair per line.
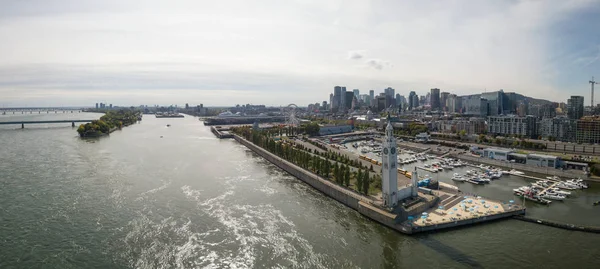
273,52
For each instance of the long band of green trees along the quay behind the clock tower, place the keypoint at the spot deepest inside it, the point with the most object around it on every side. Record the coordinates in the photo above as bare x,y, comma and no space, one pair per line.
332,170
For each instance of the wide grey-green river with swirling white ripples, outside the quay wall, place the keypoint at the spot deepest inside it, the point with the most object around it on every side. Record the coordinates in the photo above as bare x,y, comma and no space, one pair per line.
189,200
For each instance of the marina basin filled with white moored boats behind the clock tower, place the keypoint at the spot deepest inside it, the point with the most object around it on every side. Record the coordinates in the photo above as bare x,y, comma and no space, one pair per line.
494,183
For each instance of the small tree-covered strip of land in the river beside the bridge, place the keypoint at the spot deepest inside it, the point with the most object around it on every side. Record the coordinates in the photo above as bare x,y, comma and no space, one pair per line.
111,121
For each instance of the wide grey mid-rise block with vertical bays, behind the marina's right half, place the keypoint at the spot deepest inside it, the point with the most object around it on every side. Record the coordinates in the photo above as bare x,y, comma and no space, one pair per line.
513,125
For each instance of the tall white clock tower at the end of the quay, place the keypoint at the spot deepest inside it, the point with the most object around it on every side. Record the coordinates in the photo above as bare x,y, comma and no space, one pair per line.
389,162
